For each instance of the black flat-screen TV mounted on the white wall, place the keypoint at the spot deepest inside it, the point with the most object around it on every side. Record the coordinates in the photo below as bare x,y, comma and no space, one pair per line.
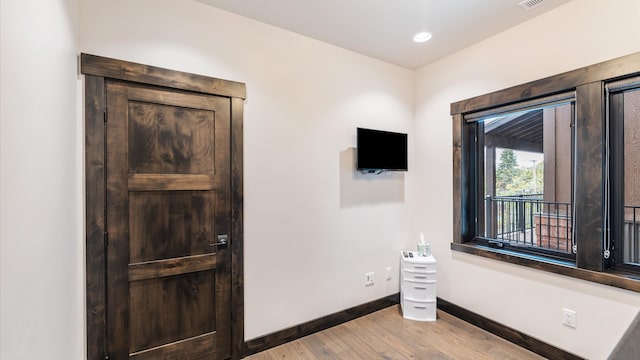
381,150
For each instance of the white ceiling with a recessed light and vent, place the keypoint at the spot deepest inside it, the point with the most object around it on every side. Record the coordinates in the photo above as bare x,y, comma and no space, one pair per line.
384,29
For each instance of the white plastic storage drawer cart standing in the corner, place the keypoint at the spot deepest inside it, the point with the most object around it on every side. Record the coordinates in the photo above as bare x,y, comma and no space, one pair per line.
418,286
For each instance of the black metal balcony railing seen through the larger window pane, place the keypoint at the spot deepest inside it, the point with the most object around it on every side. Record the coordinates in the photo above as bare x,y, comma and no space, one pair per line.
528,220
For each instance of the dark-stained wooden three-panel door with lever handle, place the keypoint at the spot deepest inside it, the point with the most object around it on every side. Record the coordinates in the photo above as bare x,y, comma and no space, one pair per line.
168,200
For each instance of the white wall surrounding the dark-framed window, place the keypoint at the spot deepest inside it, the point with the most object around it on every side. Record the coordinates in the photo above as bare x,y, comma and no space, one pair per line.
577,34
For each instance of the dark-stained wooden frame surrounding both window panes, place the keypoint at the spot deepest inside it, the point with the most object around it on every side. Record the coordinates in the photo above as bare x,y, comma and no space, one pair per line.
588,84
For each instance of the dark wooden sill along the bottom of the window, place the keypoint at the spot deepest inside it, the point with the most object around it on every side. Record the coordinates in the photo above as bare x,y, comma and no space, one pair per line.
620,280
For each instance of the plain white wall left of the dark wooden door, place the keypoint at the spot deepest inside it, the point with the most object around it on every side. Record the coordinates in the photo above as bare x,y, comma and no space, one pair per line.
41,253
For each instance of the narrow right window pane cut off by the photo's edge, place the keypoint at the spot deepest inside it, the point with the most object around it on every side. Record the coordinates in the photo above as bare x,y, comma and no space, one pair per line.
622,242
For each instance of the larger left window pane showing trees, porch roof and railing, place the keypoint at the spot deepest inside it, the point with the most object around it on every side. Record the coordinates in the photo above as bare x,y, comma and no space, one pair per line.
524,177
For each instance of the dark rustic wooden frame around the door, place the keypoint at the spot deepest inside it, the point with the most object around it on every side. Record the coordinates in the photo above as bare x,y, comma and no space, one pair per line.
97,70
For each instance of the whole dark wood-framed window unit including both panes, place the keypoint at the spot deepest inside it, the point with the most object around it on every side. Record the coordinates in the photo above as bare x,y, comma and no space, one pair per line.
547,174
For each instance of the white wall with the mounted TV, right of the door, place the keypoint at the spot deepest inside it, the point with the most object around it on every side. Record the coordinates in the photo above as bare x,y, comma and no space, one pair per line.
313,227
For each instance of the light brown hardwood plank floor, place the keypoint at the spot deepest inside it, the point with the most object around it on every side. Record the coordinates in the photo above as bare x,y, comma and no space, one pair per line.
385,334
